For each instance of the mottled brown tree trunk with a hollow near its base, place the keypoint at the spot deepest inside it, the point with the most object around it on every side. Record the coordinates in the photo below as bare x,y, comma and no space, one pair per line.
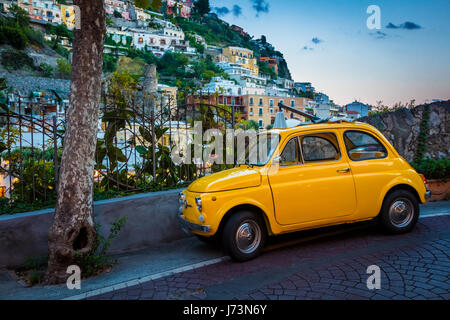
73,228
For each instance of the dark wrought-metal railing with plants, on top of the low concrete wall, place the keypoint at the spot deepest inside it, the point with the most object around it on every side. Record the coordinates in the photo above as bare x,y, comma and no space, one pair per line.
135,139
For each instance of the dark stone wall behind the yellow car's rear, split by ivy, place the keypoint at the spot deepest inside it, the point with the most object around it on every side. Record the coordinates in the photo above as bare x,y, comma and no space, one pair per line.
402,128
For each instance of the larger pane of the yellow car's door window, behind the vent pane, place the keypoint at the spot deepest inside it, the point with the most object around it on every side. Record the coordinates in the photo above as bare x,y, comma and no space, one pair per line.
320,147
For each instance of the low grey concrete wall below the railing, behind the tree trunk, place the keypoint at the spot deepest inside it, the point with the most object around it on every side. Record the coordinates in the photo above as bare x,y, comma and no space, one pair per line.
151,220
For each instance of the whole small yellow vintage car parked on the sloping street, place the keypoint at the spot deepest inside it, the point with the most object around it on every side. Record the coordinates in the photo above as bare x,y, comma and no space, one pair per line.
316,175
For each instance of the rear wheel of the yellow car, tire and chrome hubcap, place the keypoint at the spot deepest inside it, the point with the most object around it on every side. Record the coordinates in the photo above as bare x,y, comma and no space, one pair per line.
400,212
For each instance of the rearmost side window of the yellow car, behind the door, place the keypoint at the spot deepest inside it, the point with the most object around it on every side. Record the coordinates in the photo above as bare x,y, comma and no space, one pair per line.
363,146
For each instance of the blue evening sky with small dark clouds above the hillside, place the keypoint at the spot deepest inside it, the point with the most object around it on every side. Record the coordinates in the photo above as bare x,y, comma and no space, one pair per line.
328,43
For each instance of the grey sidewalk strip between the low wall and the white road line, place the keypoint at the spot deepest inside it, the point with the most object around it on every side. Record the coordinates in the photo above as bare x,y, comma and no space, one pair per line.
145,265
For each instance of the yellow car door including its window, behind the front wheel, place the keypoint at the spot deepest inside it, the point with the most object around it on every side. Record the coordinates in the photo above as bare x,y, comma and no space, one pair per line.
313,181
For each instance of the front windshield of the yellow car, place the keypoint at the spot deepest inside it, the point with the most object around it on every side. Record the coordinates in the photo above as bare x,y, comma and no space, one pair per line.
258,149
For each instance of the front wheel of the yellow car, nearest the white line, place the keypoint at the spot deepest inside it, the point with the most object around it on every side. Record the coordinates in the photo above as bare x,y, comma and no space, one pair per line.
244,236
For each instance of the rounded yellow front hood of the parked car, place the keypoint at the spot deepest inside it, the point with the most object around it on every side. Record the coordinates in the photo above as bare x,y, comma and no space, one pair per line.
237,178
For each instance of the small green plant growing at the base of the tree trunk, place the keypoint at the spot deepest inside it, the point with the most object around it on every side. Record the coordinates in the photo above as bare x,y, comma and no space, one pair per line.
97,260
